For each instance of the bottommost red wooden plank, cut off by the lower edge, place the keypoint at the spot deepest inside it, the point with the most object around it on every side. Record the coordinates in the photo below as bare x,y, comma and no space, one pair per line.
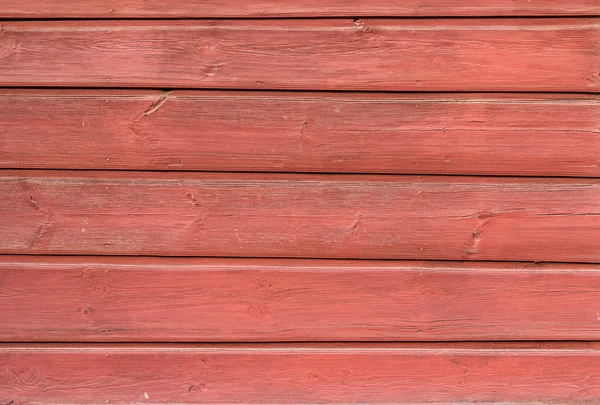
298,374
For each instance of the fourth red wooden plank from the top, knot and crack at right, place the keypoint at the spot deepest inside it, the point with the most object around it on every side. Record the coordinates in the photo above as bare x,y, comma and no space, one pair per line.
286,215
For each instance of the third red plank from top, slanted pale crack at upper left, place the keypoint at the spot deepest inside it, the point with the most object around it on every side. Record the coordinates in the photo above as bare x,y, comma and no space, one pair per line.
544,135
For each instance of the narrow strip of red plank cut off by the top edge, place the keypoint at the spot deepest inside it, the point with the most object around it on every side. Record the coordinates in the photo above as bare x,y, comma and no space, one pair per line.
288,8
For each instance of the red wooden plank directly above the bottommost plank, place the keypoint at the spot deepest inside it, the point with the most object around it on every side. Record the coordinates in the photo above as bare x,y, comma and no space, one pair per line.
219,300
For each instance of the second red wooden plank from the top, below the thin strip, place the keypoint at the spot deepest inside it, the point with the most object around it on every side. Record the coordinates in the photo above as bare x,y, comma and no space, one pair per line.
413,55
